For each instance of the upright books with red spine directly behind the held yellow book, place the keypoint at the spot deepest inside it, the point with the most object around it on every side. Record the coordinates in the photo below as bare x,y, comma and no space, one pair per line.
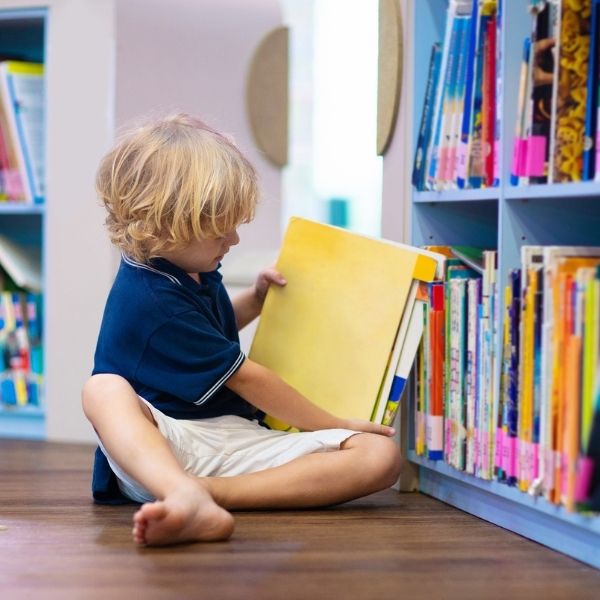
456,362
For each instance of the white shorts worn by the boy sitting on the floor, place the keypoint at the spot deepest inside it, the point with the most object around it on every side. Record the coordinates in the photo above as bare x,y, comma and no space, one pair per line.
227,446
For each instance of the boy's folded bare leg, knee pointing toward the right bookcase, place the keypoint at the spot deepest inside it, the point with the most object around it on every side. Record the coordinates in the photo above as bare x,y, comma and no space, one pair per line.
366,463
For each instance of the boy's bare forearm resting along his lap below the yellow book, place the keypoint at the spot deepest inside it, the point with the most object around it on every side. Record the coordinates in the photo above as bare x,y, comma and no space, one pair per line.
268,392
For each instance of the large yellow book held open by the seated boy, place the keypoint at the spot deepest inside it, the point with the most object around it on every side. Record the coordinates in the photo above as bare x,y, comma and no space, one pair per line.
330,331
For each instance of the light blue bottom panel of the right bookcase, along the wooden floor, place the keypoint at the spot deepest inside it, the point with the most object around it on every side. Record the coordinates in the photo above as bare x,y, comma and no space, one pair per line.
573,534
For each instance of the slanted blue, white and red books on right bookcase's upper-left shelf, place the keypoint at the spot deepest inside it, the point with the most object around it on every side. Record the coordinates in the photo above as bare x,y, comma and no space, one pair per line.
457,145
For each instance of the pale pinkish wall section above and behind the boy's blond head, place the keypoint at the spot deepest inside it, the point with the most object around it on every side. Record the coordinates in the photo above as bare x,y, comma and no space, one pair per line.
194,55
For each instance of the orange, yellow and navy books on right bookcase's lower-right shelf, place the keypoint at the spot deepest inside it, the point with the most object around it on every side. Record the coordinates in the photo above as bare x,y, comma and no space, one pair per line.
548,435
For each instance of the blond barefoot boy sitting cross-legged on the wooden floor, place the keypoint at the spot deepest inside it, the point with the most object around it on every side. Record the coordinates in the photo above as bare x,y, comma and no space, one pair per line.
175,403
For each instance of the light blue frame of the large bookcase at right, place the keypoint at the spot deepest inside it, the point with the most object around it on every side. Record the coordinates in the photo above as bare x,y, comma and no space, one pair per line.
502,217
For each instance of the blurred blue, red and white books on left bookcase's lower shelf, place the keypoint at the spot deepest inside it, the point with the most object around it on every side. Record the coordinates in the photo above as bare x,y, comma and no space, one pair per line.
21,356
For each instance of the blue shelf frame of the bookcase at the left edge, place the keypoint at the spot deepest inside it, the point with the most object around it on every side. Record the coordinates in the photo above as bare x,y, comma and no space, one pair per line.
23,37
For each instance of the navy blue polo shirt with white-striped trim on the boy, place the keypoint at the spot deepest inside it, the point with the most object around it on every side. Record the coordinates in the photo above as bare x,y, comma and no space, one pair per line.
175,340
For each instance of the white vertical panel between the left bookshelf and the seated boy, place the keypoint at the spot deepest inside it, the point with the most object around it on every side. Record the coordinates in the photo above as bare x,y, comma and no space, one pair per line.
78,264
